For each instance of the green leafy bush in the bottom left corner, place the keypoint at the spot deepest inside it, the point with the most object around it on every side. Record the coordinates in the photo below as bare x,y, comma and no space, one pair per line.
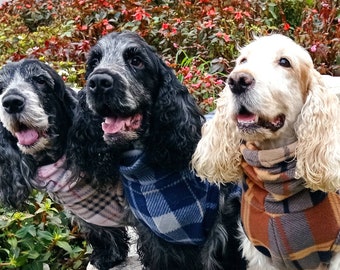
41,235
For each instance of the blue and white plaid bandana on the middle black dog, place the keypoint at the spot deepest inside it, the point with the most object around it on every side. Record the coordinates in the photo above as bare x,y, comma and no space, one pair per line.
176,206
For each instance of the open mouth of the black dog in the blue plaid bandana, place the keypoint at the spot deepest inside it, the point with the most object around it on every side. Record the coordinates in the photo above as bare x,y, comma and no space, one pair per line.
116,125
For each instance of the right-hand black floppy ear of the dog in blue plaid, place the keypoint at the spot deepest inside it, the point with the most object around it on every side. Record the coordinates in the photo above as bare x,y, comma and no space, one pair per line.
176,123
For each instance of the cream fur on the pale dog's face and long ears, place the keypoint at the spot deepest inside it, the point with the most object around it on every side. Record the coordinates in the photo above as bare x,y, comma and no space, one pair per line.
312,116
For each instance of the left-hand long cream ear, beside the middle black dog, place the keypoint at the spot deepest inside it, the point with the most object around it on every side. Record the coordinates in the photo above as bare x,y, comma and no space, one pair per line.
217,157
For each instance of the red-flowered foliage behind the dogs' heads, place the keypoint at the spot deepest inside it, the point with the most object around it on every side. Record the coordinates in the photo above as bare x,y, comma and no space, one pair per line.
204,30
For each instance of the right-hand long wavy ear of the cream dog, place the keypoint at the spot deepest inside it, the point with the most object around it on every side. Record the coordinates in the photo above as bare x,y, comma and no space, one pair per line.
318,133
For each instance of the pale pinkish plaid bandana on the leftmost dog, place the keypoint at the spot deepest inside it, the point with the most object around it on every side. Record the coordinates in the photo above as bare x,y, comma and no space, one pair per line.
96,206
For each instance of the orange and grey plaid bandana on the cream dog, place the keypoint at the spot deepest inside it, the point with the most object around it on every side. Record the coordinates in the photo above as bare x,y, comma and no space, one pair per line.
296,227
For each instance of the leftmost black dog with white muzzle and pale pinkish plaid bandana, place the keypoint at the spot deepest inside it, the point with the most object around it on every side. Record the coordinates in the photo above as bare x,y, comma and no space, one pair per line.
37,112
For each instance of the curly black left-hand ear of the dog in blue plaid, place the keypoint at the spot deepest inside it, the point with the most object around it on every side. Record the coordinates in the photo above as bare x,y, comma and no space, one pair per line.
87,153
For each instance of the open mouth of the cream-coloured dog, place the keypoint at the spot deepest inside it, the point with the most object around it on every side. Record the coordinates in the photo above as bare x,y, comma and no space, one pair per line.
249,121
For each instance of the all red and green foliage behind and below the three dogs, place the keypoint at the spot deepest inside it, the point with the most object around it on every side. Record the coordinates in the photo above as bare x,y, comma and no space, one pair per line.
197,38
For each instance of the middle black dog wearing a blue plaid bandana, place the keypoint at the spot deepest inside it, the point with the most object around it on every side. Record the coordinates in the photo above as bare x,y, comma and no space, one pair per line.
182,222
